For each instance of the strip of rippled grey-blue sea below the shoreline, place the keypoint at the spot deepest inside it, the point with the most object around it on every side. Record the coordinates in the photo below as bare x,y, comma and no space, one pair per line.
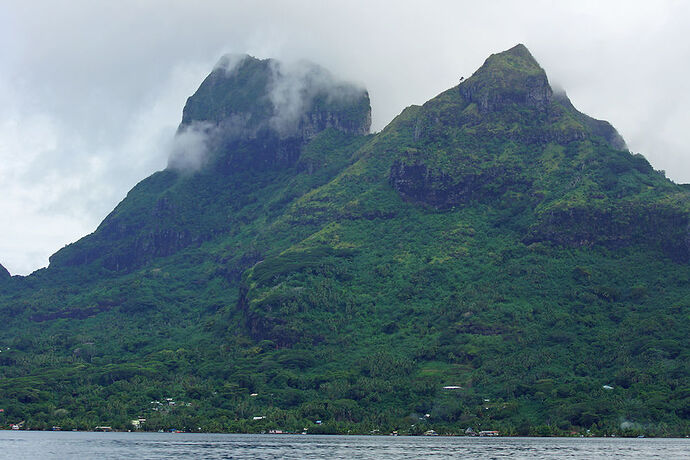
67,445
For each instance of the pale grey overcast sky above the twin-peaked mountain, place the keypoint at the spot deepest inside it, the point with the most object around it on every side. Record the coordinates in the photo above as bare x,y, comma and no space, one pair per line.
91,92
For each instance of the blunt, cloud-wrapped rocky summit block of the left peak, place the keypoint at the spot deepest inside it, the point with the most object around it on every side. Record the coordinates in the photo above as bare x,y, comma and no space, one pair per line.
272,109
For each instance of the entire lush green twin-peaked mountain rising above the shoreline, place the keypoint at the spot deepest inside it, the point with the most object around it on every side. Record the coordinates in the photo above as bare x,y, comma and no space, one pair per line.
491,259
